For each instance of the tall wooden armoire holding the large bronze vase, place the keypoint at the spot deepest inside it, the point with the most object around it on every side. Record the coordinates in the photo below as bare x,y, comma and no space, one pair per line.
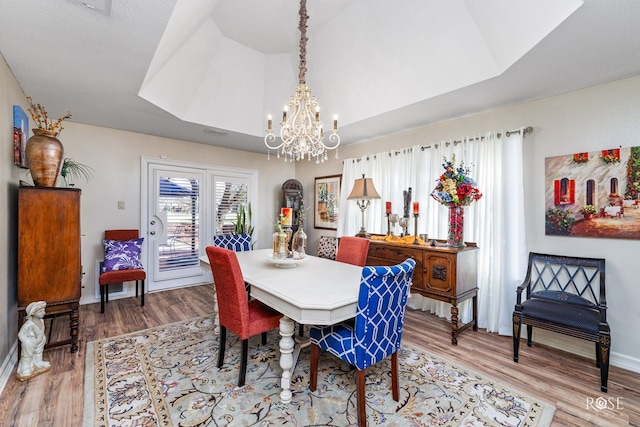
49,266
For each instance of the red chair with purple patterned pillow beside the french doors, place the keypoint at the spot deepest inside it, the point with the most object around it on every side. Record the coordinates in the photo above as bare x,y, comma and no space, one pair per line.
121,262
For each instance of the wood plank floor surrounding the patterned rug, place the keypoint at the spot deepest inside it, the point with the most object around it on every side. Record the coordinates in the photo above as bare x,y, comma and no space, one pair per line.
571,383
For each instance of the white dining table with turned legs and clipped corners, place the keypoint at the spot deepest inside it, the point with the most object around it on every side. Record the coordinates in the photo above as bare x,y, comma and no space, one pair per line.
313,291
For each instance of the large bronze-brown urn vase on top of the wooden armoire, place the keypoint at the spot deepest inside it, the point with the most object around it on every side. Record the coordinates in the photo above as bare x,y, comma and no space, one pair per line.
44,154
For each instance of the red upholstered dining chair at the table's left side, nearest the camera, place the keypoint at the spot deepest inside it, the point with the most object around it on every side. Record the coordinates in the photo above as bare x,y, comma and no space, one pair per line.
243,317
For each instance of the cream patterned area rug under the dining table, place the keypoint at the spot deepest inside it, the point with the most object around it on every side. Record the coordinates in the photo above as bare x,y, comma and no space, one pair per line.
167,376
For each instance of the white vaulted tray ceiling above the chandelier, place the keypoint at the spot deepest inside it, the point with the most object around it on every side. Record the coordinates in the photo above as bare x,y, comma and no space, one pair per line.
382,66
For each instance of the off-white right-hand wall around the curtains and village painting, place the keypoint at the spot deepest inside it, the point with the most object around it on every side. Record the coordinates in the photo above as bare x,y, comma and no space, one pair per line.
601,117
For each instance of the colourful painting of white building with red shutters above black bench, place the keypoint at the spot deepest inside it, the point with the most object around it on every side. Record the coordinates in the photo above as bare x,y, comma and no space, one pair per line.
594,194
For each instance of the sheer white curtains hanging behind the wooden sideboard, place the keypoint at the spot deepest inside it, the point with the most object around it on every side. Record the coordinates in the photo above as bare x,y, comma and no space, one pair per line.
495,222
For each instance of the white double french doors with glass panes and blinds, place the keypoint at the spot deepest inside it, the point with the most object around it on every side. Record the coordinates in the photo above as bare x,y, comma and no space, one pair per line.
184,205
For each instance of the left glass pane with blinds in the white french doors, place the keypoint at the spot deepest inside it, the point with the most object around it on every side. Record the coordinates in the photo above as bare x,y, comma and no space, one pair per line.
179,200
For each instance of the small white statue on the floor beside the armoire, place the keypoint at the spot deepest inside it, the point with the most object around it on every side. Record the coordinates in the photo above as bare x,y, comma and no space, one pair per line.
33,339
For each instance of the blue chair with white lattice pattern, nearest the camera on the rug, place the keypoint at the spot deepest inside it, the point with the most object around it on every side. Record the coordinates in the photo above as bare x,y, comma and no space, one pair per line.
377,331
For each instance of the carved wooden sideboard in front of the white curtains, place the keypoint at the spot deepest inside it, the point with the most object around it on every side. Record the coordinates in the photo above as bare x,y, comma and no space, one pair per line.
441,273
